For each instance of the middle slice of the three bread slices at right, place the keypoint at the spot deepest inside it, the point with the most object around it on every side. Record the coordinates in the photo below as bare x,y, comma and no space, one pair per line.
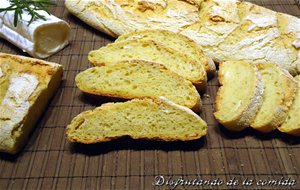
279,92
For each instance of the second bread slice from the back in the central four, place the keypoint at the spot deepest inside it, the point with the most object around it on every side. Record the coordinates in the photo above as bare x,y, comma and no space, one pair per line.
152,51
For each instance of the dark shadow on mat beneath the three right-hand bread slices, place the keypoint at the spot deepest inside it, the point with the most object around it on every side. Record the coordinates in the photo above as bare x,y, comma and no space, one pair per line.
286,138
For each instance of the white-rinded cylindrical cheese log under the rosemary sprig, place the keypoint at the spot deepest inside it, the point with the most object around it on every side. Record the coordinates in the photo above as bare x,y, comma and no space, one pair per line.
41,38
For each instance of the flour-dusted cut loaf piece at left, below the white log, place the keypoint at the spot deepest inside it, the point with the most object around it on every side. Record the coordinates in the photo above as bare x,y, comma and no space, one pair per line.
26,85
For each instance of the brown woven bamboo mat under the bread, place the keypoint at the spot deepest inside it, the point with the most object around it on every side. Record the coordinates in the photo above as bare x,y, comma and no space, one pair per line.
50,162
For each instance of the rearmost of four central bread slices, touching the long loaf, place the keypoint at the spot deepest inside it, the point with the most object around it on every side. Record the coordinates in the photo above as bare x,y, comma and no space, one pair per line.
178,42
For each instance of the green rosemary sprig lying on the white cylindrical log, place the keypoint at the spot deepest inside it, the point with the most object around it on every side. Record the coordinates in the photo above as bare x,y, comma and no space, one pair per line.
30,6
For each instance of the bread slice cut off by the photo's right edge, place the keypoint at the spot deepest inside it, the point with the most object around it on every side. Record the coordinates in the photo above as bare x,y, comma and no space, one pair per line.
292,123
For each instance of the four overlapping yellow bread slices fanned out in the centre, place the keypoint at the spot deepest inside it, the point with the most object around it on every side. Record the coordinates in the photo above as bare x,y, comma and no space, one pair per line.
161,71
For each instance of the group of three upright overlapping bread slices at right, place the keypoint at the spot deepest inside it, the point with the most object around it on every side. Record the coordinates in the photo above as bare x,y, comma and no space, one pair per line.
263,96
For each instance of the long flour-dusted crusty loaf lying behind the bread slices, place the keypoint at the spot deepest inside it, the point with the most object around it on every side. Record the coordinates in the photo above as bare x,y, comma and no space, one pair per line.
227,30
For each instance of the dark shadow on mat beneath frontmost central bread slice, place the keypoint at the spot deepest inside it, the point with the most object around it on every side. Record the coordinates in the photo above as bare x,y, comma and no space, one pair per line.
126,143
